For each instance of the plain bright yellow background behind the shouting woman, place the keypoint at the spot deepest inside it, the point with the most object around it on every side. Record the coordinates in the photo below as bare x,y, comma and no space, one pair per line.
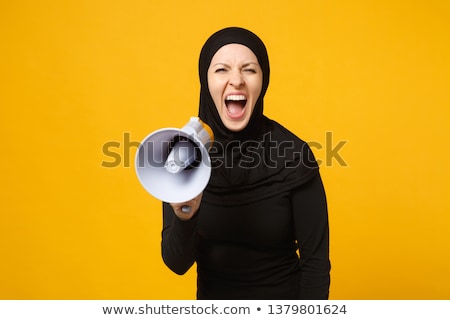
76,75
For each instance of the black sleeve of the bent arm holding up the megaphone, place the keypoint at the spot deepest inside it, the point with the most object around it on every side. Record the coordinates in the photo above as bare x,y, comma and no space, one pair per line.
179,241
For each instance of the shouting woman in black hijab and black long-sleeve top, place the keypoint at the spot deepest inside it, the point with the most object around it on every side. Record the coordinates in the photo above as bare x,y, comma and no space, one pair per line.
260,228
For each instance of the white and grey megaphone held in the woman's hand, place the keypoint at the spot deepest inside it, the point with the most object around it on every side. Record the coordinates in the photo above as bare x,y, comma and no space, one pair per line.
173,165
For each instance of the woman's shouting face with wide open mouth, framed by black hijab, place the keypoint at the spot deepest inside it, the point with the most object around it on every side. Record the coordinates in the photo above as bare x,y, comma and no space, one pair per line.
235,83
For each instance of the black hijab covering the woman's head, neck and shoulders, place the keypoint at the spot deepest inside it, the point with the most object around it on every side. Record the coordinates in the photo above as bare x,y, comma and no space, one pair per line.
262,160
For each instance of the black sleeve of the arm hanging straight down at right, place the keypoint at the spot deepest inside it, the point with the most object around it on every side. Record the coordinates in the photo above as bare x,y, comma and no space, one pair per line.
312,233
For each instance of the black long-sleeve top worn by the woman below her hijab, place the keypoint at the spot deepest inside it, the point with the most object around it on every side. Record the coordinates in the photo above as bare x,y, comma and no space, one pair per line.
277,248
